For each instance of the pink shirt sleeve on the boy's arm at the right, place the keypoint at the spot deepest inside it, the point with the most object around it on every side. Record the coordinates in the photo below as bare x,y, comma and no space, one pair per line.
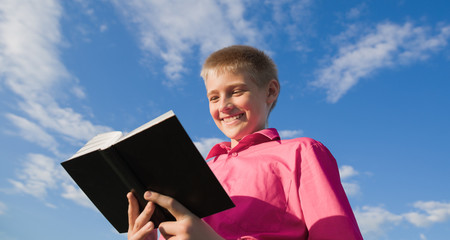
326,210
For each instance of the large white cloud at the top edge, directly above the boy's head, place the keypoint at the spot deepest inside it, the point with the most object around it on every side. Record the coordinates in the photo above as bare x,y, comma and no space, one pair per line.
171,29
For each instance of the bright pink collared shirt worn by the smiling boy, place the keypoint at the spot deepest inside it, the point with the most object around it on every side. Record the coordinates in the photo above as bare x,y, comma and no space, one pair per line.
283,189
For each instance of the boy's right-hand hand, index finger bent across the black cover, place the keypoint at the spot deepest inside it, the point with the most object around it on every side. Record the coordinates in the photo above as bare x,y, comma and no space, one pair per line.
186,226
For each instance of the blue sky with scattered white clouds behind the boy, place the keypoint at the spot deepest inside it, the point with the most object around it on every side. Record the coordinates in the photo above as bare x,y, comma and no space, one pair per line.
369,79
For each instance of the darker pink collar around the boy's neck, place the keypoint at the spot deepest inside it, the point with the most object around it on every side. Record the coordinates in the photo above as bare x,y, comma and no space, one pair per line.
265,135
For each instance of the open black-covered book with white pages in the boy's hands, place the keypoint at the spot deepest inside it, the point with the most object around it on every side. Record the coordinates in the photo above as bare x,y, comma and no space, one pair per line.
158,156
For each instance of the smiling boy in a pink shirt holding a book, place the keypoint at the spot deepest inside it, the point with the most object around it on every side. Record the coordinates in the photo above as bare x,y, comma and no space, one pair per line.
282,189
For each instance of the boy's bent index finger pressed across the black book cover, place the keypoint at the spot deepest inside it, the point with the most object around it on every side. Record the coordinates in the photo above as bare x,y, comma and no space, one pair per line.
172,205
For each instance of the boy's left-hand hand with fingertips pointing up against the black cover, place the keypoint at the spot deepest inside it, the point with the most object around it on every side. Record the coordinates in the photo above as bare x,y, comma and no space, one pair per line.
139,225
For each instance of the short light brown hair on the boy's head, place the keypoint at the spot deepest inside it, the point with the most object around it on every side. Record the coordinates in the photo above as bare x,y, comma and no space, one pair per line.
241,59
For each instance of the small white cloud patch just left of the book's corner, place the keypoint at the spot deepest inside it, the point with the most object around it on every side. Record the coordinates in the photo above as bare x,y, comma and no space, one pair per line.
39,173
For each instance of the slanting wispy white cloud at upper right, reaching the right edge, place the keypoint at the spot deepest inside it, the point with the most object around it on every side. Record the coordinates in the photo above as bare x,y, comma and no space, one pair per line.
388,45
